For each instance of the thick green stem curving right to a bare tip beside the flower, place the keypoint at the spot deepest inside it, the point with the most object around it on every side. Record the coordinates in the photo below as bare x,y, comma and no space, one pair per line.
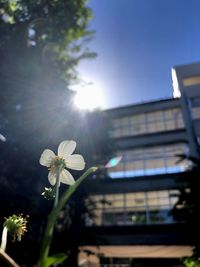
52,218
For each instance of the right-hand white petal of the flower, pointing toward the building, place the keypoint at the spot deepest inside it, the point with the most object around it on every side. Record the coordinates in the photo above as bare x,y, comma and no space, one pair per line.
75,162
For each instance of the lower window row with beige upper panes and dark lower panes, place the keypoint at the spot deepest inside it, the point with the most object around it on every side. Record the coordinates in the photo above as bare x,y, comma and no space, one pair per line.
133,208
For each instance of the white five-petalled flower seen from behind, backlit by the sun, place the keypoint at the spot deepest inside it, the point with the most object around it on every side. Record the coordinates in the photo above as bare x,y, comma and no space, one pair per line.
64,159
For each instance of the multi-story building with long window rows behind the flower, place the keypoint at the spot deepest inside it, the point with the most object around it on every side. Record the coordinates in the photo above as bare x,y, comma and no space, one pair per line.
132,220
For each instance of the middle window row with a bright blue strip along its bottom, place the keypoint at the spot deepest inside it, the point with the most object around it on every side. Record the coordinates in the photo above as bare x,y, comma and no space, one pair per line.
150,161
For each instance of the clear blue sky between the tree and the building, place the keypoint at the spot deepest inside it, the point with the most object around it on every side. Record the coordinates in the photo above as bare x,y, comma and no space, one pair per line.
138,42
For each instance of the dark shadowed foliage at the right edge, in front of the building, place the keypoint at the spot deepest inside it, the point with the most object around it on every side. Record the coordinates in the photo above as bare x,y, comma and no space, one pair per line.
187,208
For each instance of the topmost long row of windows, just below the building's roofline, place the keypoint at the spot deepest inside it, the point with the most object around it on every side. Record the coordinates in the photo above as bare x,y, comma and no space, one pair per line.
150,122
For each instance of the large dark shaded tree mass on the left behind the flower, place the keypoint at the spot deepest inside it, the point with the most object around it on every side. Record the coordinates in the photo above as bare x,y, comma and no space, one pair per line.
41,43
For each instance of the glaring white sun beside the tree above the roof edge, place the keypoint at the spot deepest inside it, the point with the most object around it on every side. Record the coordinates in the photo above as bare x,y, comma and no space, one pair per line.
89,98
